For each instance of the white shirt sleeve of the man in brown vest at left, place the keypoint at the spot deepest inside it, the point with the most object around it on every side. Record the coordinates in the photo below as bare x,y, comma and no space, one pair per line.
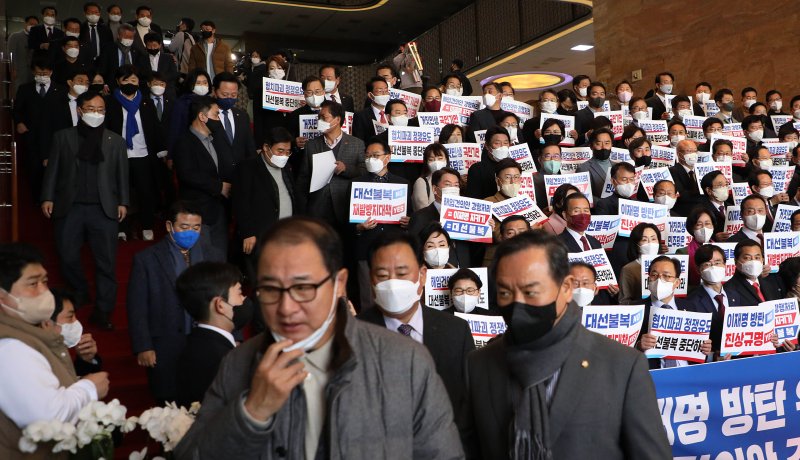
31,392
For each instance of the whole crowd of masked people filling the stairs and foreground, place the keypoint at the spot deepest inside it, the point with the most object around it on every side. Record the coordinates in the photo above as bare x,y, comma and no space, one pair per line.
119,132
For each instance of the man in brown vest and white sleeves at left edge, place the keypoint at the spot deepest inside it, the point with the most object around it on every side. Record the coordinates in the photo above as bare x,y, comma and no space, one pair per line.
39,380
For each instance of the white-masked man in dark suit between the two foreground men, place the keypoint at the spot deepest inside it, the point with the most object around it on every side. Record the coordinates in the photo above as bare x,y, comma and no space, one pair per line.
397,278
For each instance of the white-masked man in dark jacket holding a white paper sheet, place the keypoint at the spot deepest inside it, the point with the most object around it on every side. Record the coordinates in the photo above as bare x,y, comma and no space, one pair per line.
331,203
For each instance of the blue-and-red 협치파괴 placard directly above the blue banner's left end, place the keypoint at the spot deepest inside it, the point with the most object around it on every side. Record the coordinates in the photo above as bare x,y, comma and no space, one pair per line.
679,334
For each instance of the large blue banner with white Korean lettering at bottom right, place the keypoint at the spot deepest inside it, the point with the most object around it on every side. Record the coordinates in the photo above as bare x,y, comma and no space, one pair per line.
739,409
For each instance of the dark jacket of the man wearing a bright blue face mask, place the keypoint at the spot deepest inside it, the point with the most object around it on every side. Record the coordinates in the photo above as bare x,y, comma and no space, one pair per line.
152,303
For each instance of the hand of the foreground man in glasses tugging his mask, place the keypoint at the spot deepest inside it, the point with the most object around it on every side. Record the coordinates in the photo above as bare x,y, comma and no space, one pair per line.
275,378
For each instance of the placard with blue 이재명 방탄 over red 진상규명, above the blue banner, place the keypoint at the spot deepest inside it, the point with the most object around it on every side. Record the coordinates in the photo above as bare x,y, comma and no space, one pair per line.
748,330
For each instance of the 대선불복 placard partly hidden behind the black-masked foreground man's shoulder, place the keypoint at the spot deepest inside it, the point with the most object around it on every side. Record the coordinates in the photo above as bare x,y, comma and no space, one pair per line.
621,323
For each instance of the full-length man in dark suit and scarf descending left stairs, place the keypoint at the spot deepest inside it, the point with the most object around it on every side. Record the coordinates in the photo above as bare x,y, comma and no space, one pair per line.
86,193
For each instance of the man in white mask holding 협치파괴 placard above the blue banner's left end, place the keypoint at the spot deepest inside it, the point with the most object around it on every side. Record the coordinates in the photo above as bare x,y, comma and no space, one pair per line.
664,279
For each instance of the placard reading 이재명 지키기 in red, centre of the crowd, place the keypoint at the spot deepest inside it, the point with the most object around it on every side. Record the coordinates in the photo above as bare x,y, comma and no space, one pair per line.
466,219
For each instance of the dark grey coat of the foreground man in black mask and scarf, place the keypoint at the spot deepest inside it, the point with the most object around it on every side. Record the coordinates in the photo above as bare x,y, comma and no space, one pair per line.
581,426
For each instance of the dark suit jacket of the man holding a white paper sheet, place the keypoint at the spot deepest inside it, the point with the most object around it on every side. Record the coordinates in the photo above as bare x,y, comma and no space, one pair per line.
337,192
